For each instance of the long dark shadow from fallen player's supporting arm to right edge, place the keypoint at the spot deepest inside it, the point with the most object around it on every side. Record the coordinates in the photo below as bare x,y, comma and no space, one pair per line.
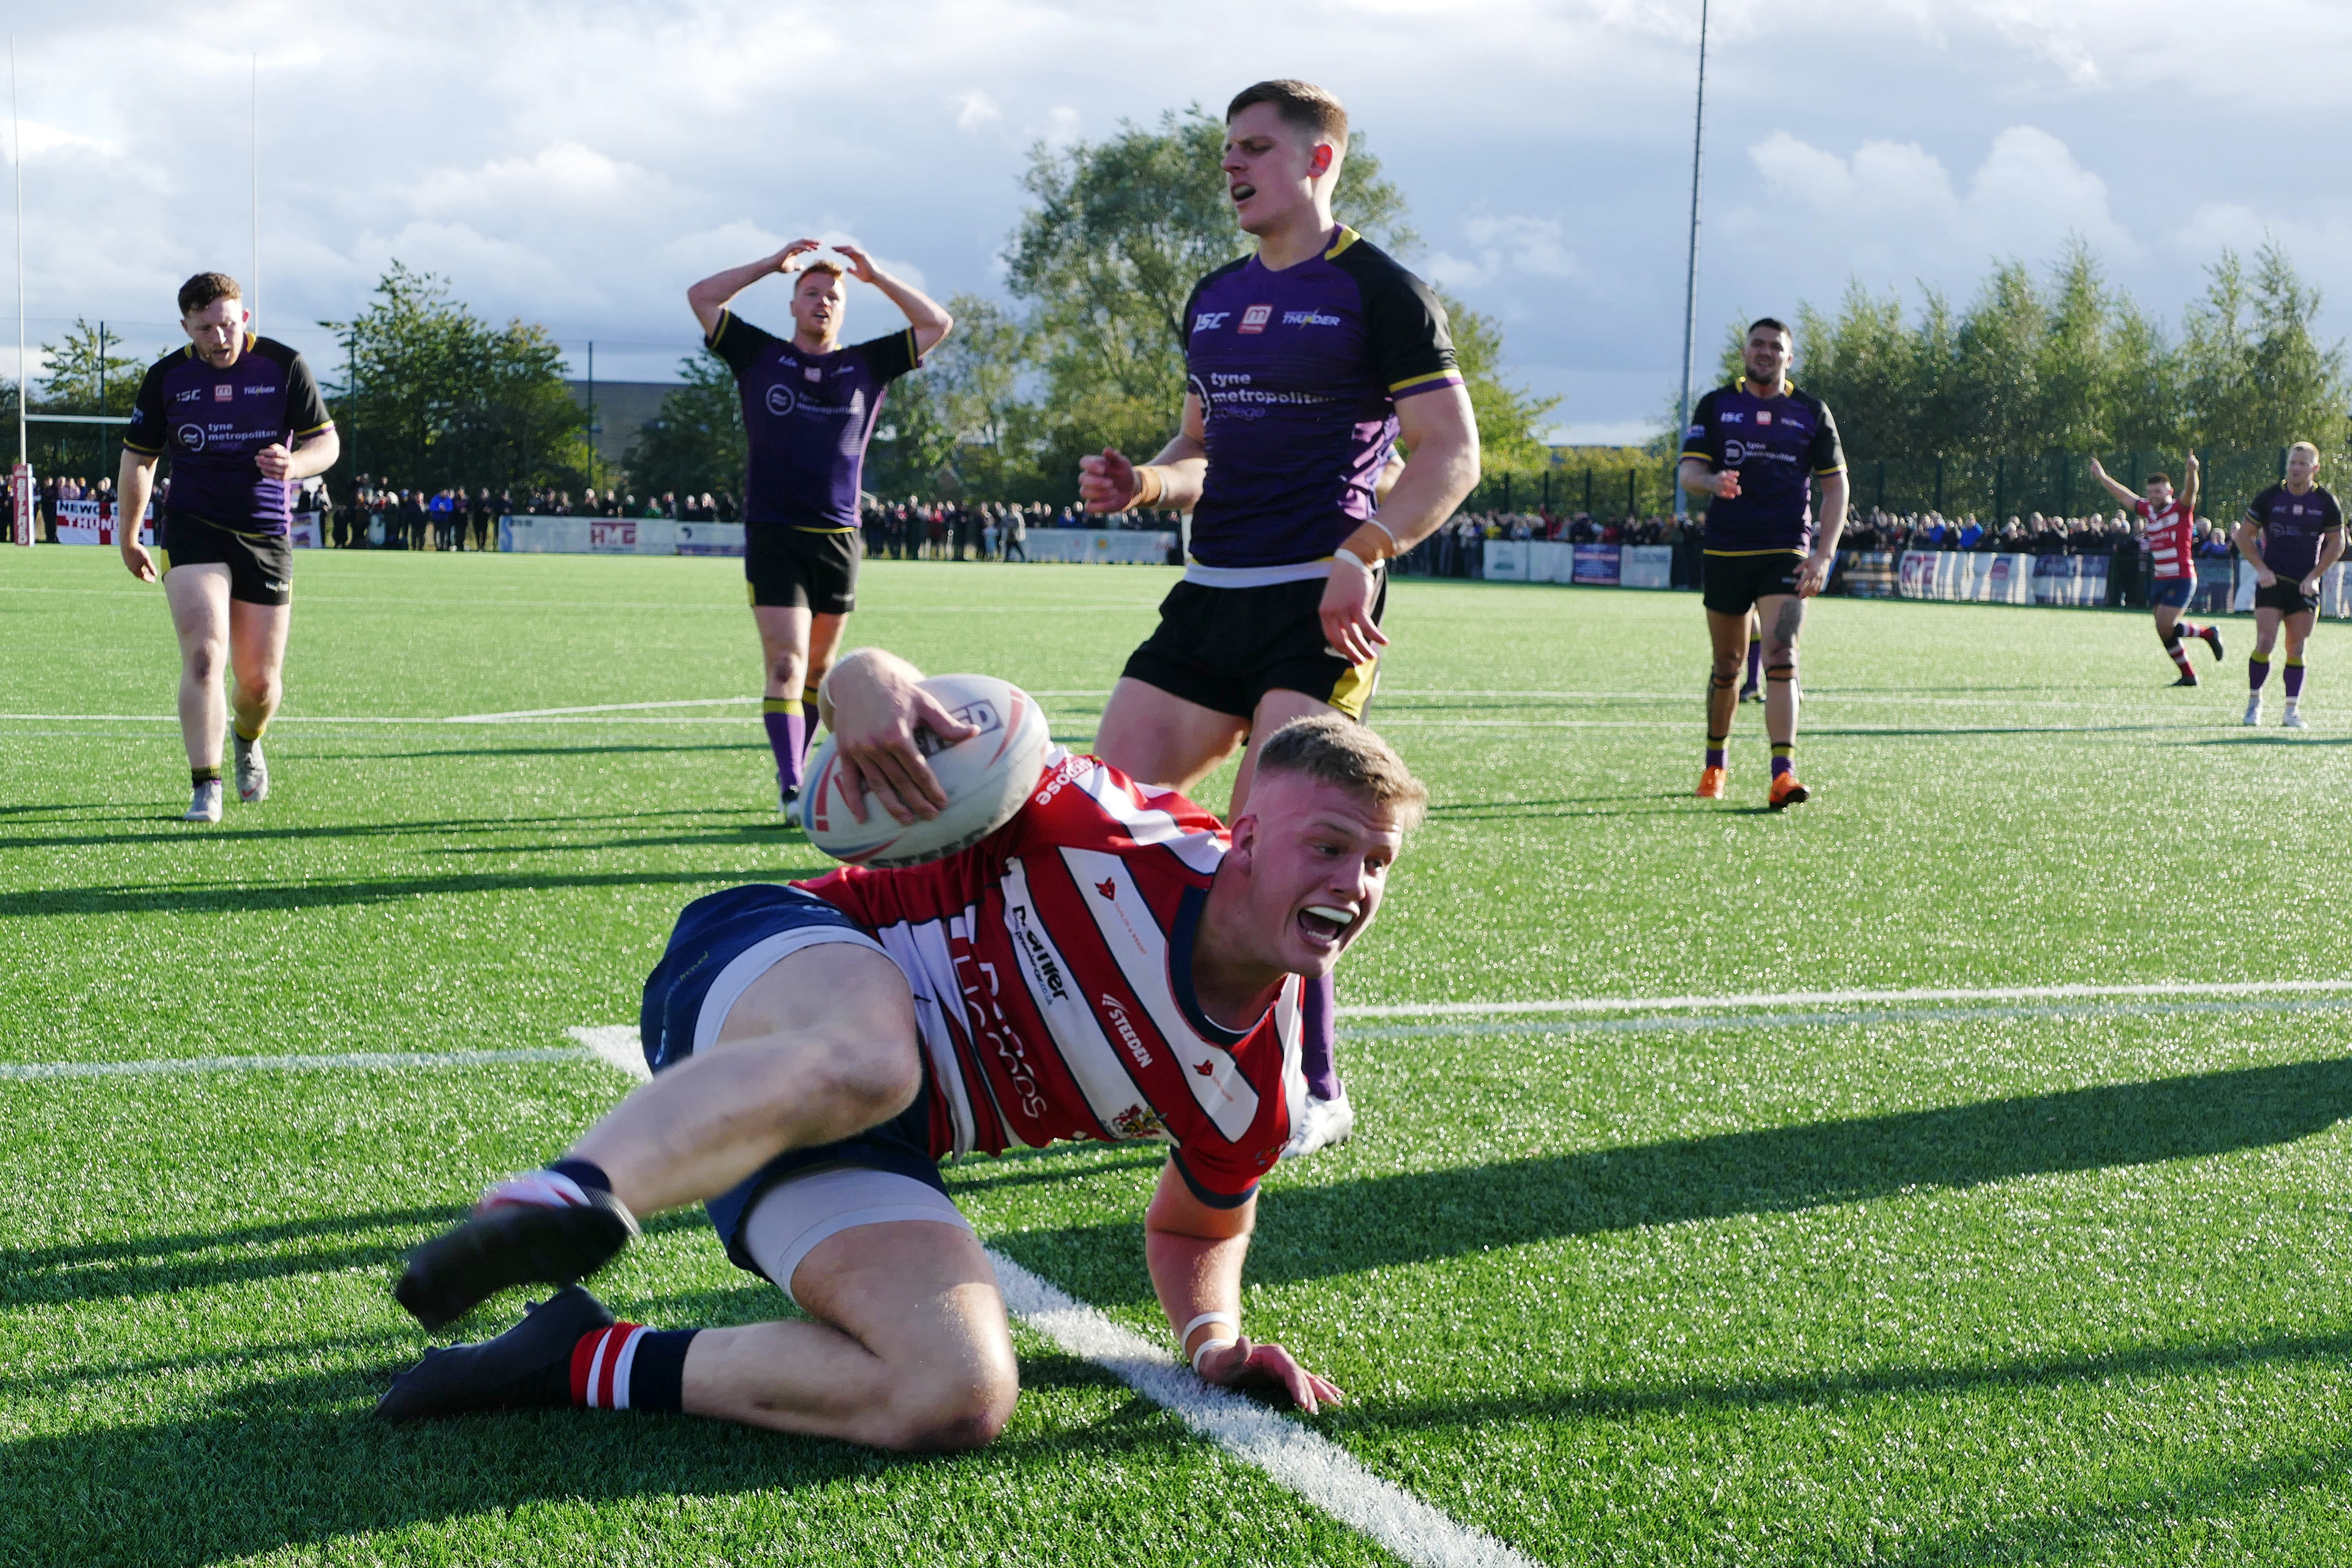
1391,1221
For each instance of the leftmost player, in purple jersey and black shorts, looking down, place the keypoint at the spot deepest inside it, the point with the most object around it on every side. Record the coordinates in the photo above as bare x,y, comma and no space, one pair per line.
246,427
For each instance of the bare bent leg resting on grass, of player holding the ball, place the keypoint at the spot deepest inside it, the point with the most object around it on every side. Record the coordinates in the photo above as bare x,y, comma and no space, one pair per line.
909,1348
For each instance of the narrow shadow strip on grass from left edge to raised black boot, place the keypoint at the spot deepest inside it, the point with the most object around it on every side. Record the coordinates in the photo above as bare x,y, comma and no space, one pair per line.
199,1261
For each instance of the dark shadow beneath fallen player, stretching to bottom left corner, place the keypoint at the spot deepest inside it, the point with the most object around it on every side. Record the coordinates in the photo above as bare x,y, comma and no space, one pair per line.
302,1461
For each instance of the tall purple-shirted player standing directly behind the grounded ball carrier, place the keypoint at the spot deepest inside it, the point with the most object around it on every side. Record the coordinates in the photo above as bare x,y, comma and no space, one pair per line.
1307,363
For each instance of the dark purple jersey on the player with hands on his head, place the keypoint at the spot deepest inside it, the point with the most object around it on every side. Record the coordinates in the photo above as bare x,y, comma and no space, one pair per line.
808,420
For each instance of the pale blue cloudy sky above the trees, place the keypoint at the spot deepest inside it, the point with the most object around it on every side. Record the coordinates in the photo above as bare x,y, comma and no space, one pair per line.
584,163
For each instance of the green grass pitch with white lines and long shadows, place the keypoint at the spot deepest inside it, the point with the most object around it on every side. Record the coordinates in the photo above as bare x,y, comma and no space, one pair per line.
1815,1282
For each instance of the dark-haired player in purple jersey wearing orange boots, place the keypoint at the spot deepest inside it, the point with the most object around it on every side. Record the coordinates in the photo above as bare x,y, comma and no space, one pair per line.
1758,445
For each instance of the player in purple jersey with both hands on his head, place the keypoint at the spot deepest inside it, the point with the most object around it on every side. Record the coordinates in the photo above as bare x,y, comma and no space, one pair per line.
810,408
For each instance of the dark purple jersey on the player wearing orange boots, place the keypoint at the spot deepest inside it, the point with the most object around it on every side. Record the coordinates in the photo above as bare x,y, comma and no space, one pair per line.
1779,445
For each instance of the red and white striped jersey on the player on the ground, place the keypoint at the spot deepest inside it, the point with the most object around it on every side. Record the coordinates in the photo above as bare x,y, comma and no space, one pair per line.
1053,972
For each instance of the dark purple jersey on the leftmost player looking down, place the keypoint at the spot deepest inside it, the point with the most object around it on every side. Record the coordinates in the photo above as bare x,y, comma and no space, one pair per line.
213,422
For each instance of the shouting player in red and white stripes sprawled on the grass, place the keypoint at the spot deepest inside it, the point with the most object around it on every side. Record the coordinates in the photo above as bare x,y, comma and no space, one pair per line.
1111,965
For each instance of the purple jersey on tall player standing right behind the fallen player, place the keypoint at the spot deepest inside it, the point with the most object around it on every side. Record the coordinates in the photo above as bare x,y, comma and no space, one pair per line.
1299,375
